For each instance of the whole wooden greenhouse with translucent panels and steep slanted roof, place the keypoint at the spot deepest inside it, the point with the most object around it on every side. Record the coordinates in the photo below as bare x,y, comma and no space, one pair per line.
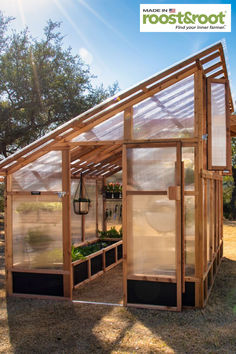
168,138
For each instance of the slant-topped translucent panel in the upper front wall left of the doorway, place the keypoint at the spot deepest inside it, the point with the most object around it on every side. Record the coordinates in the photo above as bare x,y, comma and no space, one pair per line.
44,174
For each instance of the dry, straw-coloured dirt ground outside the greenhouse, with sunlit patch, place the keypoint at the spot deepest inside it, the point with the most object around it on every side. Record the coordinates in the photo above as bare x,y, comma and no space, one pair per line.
33,326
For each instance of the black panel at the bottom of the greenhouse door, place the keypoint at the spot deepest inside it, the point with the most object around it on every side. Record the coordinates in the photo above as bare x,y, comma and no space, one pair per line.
151,293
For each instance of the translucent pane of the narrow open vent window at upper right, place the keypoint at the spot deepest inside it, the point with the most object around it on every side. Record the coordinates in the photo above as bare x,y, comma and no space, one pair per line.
218,124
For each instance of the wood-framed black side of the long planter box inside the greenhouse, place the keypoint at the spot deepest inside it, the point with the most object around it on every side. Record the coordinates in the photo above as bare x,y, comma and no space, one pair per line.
94,265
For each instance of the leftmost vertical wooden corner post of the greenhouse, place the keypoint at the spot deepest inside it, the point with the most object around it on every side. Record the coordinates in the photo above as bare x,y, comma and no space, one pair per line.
8,235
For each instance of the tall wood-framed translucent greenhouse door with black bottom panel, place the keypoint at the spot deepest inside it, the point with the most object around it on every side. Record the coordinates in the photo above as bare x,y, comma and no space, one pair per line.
152,225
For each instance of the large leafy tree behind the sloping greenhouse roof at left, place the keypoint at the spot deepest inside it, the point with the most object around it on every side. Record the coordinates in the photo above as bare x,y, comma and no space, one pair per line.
42,86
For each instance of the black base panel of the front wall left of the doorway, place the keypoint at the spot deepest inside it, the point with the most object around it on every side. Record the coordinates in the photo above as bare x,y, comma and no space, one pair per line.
38,284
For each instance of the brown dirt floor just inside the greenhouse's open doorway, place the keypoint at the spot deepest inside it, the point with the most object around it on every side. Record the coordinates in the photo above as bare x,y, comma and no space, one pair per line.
106,288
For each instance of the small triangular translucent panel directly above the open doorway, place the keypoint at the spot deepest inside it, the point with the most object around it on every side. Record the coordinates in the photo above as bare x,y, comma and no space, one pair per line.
111,129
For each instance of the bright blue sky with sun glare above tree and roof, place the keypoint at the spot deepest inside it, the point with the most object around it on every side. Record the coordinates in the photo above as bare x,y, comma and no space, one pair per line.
106,34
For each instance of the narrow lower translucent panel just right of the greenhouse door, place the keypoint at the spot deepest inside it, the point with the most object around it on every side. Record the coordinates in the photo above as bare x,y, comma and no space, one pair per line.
189,203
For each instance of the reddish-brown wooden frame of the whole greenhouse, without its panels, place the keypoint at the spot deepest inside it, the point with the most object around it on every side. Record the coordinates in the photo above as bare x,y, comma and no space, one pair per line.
100,159
